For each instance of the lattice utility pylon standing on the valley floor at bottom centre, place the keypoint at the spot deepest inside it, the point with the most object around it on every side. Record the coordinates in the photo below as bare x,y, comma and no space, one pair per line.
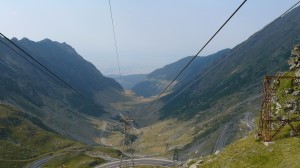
127,144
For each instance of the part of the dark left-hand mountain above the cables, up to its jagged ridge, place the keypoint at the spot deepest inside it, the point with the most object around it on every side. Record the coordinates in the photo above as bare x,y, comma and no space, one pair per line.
63,60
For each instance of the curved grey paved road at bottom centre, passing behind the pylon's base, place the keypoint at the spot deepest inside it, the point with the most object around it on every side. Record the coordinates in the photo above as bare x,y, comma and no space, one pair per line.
141,161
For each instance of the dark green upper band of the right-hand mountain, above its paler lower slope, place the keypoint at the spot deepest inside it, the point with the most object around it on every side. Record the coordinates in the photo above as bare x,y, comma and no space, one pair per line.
266,54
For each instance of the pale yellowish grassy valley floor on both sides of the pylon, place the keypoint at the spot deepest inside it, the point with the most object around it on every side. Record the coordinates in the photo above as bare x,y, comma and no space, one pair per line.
158,139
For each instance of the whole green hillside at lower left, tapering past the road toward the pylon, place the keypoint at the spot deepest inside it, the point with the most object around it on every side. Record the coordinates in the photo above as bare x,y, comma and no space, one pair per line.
24,139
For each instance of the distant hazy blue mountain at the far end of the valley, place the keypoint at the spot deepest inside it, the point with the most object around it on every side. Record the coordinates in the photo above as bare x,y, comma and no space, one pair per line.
128,81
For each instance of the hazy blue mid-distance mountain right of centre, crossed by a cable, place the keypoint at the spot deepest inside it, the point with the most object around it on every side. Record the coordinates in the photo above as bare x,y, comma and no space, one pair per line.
160,78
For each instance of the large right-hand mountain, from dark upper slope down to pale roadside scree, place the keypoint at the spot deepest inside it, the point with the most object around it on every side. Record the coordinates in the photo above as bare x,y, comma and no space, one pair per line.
222,98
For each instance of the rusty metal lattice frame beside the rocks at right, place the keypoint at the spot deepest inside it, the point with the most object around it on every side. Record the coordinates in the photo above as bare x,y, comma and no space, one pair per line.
273,116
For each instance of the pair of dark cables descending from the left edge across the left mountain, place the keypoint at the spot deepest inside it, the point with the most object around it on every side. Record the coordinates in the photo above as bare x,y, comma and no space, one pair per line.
44,69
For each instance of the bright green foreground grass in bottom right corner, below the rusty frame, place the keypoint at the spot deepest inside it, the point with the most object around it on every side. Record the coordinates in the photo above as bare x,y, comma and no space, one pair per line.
248,152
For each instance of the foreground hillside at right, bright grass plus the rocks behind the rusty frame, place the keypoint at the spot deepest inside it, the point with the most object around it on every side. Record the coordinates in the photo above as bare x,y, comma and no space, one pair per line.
254,152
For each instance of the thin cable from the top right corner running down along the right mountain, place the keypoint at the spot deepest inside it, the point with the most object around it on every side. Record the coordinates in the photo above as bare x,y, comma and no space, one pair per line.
229,55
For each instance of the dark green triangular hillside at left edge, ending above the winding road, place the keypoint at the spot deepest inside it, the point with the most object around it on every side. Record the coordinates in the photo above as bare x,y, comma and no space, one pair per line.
22,141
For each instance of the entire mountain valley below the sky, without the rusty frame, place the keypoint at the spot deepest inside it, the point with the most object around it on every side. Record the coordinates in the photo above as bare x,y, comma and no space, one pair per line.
59,109
